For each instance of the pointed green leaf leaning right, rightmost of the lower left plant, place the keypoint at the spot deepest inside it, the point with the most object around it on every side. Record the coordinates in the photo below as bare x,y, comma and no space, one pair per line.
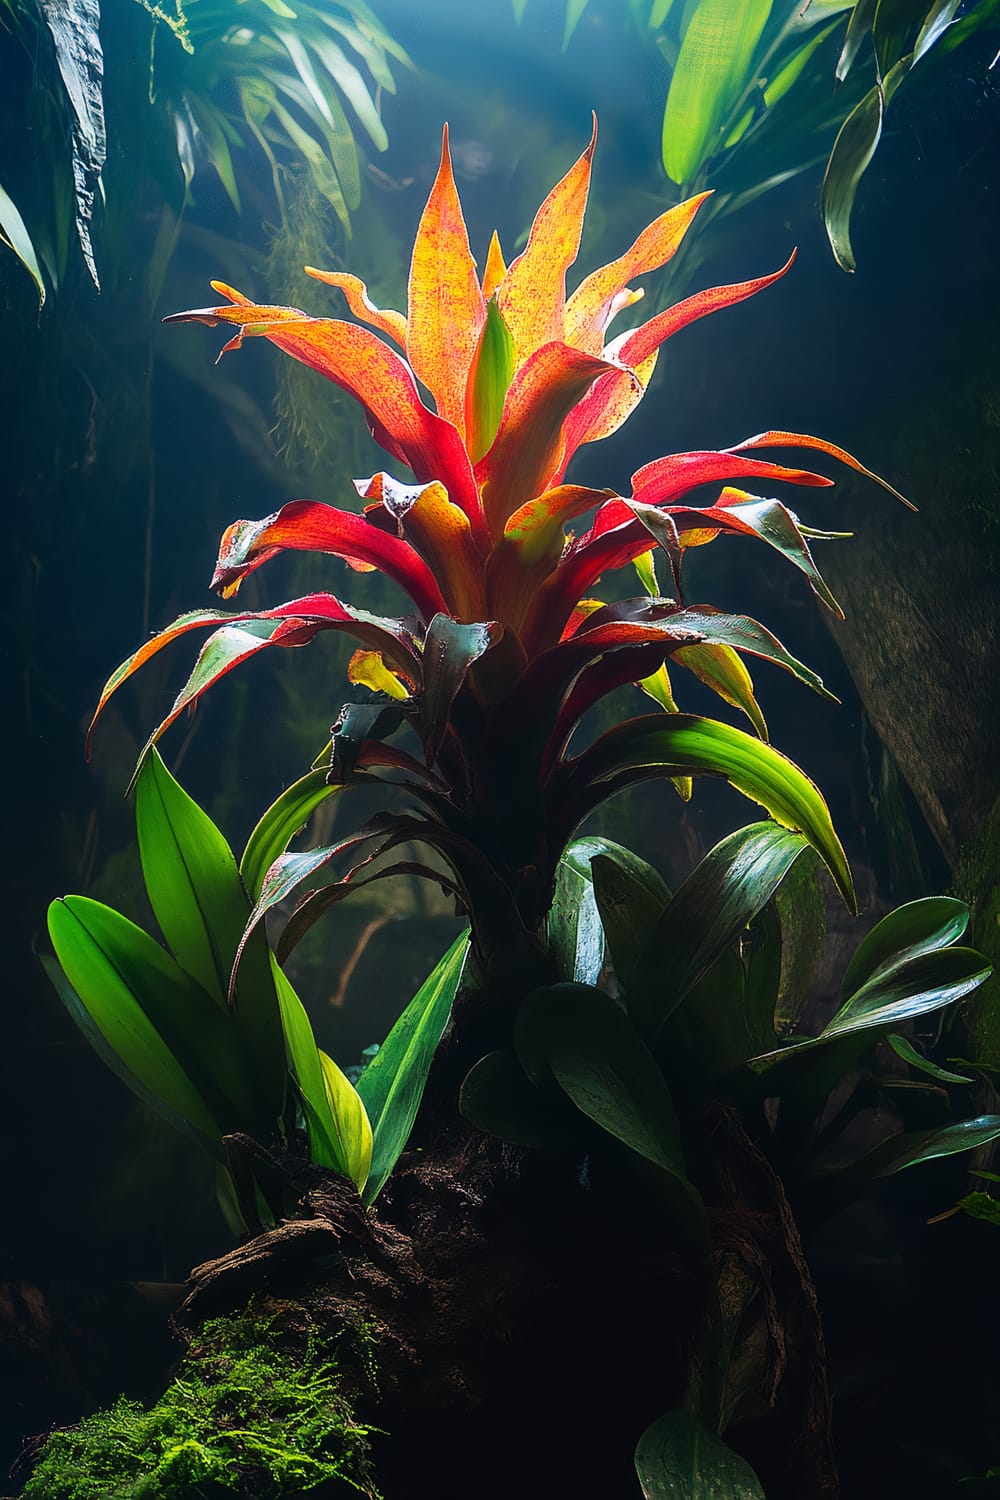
394,1082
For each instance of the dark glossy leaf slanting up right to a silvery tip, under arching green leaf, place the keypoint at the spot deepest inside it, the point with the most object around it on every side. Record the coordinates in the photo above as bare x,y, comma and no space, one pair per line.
708,916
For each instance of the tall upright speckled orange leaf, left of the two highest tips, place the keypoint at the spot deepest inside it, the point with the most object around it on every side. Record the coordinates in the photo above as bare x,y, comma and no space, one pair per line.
446,302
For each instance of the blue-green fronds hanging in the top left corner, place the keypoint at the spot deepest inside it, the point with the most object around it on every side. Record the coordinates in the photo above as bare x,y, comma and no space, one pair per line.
221,79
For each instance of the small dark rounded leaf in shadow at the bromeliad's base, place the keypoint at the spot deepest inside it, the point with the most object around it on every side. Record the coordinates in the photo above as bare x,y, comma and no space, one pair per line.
499,1099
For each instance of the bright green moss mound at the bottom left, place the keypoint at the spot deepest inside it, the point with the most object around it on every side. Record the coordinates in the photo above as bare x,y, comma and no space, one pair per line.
244,1415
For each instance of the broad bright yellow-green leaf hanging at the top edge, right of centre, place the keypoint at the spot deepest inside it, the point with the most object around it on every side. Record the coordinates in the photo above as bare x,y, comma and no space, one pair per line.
714,67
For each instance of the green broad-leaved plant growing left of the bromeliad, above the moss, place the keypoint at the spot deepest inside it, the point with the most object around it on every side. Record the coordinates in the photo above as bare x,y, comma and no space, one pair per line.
238,1076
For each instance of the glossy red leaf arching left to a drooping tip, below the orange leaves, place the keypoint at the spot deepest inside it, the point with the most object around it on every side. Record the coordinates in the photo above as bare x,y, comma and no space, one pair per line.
305,526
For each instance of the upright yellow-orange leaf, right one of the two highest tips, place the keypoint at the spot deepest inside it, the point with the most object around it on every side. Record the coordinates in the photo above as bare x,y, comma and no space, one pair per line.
533,293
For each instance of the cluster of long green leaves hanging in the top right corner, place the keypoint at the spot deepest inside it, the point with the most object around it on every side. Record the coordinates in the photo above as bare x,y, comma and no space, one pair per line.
755,97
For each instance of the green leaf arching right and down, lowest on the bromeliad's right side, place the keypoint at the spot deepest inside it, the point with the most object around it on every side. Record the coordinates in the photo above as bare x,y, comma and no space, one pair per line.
680,745
